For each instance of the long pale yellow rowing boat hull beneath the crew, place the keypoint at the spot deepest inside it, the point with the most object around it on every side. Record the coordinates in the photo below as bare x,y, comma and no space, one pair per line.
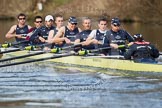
104,62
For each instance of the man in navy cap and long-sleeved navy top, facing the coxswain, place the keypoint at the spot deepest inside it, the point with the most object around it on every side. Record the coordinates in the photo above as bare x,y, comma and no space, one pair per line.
117,36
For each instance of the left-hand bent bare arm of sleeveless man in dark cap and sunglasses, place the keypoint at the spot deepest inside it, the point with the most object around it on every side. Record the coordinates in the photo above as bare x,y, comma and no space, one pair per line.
59,36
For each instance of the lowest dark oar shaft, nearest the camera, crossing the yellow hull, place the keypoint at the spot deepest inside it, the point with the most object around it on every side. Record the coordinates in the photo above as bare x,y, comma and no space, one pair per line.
41,59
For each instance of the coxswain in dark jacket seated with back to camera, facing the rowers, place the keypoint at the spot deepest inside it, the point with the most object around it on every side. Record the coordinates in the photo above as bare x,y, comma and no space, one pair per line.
142,51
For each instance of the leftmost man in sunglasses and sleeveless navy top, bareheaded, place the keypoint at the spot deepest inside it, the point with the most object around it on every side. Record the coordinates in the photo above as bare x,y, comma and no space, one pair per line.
20,30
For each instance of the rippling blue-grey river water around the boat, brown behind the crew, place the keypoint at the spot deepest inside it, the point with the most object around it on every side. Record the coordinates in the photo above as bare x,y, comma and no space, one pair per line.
44,86
